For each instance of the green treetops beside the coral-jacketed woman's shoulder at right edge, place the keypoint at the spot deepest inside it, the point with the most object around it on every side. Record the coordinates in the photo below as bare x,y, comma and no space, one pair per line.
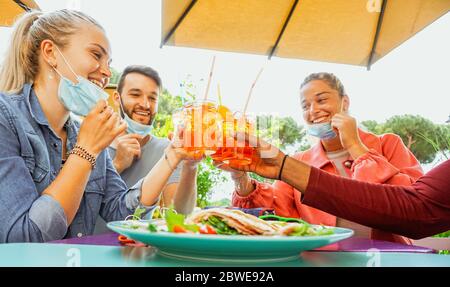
424,138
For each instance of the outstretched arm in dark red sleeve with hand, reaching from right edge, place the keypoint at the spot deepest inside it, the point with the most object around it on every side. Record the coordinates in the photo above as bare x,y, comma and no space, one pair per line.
416,211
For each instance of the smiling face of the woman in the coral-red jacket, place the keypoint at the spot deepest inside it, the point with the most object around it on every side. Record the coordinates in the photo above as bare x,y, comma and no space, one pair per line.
320,102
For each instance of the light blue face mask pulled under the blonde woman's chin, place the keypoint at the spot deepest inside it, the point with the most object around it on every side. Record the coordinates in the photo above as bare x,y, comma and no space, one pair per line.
78,98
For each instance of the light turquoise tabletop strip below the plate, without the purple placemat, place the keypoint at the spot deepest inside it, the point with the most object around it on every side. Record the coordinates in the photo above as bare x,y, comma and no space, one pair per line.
60,255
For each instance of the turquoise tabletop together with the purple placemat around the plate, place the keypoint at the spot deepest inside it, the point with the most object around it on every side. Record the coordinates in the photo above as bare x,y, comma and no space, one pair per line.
104,250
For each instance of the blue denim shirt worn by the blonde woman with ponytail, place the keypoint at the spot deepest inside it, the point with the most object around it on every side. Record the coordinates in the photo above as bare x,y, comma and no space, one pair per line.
31,158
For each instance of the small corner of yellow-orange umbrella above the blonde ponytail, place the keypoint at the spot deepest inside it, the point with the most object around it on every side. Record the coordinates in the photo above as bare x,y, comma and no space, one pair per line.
11,9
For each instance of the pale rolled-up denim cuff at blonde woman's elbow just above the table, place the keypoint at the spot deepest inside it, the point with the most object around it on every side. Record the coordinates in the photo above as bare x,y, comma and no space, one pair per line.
53,225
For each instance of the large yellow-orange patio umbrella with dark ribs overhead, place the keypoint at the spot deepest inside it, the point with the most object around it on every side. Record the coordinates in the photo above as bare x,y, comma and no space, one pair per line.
356,32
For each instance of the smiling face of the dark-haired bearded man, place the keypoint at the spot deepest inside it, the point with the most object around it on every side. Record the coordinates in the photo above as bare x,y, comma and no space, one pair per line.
139,97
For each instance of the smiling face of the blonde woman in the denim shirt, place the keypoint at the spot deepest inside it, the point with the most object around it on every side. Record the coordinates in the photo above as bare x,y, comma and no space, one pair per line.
88,53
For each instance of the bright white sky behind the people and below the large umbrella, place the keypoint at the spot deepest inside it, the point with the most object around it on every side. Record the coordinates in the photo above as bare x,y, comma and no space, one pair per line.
412,79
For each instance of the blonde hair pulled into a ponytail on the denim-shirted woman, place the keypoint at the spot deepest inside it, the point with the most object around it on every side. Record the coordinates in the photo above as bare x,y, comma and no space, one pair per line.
21,64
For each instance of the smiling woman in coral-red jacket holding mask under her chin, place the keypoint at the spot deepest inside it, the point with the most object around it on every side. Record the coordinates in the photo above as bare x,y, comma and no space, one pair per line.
343,150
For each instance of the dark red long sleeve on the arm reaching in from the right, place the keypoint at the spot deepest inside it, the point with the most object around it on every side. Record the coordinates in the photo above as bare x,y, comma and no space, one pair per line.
416,211
